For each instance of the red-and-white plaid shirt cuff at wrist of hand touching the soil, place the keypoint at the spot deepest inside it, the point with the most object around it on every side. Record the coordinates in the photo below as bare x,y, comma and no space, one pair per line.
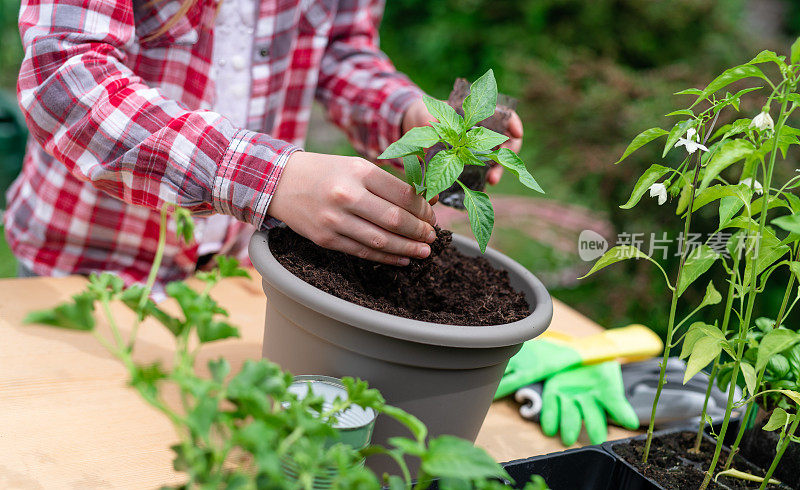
248,175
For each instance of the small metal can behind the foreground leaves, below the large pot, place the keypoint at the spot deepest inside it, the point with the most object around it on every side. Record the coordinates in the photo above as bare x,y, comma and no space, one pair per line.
353,426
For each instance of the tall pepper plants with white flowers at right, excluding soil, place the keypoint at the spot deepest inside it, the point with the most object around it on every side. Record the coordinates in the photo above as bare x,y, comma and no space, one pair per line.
732,168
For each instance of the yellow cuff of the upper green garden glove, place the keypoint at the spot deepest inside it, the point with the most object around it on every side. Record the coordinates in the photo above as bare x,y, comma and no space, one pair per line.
626,344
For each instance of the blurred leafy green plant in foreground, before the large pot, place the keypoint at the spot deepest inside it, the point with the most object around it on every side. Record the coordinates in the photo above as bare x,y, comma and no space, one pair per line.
237,430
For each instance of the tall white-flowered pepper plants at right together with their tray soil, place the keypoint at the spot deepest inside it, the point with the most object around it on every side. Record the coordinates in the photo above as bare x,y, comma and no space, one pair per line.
733,168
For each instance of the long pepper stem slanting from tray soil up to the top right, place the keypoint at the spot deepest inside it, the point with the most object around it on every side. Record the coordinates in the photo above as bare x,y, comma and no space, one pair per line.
745,325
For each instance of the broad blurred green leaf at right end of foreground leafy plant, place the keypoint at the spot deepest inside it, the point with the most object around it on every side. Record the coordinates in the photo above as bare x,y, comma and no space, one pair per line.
451,457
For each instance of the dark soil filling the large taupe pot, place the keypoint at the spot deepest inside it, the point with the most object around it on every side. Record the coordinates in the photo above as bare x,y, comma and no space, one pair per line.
446,287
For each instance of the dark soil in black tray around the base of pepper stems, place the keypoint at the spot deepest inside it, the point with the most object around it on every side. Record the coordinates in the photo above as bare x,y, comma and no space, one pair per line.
672,465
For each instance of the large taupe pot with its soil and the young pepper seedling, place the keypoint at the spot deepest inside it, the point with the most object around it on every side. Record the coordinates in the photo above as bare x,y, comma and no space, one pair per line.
433,337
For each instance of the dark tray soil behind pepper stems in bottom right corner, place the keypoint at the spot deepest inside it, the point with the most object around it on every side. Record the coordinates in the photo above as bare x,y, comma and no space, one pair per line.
759,446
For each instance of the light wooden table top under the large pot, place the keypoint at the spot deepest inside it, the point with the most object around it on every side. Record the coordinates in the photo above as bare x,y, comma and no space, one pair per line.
68,420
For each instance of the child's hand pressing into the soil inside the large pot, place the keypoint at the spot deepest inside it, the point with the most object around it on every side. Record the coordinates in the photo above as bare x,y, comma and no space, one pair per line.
349,204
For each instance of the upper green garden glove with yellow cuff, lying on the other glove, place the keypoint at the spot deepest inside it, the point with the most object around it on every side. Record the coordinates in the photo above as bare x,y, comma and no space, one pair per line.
543,357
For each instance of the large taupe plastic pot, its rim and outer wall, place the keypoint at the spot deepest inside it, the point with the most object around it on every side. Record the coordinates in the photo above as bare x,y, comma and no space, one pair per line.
446,375
